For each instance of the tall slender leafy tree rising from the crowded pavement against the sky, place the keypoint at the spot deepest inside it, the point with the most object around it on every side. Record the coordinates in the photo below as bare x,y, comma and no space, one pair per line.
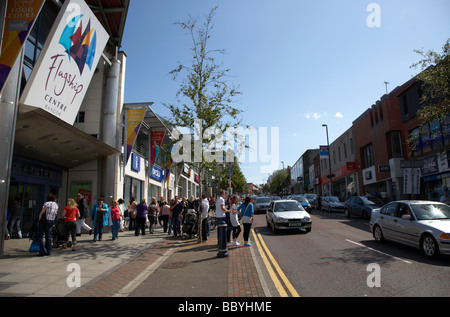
205,99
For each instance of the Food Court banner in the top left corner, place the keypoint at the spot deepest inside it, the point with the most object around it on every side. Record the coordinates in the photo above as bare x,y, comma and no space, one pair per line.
19,20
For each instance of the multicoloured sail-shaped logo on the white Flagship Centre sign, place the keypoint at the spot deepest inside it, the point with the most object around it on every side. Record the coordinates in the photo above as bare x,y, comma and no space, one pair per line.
80,45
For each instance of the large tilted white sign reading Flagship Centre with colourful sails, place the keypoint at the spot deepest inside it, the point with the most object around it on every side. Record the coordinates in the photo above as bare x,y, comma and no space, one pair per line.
63,72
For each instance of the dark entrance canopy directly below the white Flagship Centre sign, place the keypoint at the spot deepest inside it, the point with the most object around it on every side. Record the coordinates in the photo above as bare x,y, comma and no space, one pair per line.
43,137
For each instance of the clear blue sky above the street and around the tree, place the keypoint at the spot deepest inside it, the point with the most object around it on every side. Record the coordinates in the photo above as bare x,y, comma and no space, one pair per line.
299,64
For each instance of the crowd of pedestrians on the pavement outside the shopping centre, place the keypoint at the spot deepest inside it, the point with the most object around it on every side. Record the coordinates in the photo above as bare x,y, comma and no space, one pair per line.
172,215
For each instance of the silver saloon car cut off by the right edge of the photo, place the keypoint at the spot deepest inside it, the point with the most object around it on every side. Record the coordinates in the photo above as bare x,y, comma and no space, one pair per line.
421,224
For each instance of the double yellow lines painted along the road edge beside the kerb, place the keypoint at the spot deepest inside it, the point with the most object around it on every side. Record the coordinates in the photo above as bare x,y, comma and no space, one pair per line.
273,266
